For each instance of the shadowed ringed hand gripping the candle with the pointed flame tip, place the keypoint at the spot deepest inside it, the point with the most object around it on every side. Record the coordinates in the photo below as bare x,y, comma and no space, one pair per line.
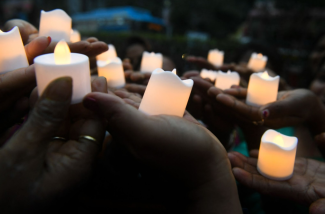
41,170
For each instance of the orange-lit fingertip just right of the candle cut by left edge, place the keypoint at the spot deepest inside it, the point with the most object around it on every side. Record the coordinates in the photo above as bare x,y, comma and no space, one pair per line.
36,47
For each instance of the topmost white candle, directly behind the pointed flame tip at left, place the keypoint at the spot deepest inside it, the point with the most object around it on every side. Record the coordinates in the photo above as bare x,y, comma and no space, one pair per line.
56,24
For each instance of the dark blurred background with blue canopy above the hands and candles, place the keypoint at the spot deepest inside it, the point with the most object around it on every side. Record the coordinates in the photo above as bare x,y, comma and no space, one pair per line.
286,31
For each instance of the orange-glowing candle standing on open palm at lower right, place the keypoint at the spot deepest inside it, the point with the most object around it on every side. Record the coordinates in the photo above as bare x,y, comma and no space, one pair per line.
277,155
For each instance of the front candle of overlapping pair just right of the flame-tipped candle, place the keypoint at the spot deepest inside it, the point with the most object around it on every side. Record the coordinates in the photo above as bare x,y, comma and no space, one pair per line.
112,70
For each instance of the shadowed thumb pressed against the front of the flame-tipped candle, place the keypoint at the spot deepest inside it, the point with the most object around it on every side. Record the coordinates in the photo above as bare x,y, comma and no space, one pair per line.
47,116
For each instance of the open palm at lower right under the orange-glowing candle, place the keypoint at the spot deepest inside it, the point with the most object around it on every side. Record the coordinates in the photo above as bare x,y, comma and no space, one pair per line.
306,186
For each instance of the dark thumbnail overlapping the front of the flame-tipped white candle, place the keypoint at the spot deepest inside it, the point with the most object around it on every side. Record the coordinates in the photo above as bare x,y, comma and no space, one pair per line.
59,89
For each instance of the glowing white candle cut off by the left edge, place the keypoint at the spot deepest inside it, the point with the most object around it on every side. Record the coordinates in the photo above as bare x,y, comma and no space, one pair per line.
12,51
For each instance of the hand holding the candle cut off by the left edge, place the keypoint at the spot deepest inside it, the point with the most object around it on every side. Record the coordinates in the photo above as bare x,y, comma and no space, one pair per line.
15,86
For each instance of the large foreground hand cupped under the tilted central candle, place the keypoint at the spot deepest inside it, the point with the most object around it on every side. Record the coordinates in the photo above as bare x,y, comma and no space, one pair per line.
202,166
